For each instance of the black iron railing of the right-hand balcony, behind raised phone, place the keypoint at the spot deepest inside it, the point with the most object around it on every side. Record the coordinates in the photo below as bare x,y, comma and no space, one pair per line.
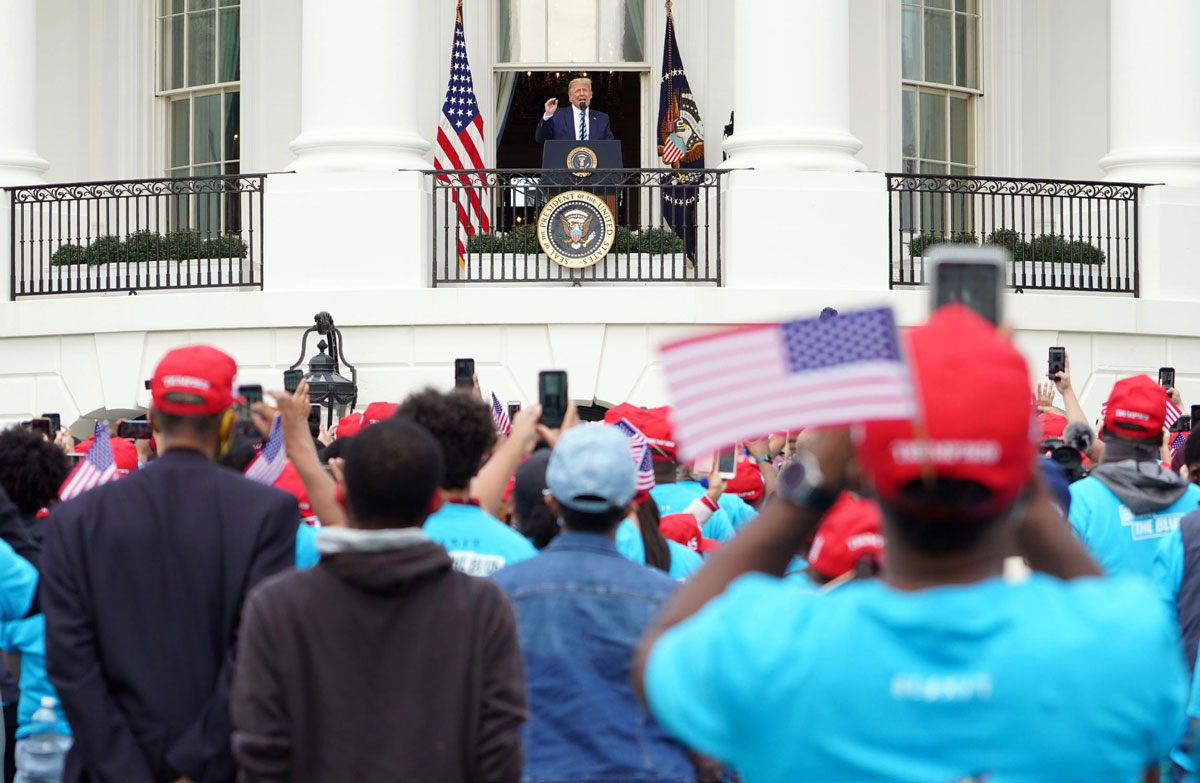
1063,235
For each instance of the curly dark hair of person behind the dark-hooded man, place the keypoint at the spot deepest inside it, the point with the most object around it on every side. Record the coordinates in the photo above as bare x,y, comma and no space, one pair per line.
461,425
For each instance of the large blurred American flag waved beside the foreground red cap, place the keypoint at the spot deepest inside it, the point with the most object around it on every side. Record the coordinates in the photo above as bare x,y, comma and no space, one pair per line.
740,384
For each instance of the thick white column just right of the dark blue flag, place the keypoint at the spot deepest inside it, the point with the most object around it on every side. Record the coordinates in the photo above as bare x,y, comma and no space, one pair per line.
791,87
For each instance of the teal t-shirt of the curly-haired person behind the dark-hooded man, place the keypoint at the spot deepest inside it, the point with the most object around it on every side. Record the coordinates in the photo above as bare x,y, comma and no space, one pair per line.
478,543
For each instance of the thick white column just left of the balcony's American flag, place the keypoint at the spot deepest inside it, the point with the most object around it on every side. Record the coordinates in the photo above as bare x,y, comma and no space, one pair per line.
358,87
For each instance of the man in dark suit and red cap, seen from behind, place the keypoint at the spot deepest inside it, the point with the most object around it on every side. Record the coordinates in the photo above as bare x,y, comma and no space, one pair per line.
143,583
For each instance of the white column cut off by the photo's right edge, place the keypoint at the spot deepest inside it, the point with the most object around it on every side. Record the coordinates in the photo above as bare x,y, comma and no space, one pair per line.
1154,92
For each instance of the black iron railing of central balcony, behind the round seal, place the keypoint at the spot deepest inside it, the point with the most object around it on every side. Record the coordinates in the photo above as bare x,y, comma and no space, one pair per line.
668,226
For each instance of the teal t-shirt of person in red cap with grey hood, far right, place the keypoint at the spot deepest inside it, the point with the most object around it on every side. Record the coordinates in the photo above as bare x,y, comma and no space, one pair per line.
1121,542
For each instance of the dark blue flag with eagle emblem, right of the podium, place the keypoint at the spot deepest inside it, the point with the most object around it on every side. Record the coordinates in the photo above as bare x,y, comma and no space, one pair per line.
681,142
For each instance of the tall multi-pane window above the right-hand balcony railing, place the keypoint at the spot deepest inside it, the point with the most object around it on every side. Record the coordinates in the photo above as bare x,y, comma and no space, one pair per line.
940,71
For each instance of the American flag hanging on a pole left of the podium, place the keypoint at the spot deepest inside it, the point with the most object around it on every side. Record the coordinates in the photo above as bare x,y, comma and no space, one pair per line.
461,145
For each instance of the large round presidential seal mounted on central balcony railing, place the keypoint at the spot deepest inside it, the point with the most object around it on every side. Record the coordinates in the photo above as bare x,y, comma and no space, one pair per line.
577,230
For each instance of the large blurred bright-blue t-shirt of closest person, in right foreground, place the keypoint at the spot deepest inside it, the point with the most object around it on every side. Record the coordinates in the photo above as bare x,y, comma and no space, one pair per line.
1037,682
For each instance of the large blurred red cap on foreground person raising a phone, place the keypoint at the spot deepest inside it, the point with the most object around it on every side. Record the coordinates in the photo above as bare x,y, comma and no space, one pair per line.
973,386
